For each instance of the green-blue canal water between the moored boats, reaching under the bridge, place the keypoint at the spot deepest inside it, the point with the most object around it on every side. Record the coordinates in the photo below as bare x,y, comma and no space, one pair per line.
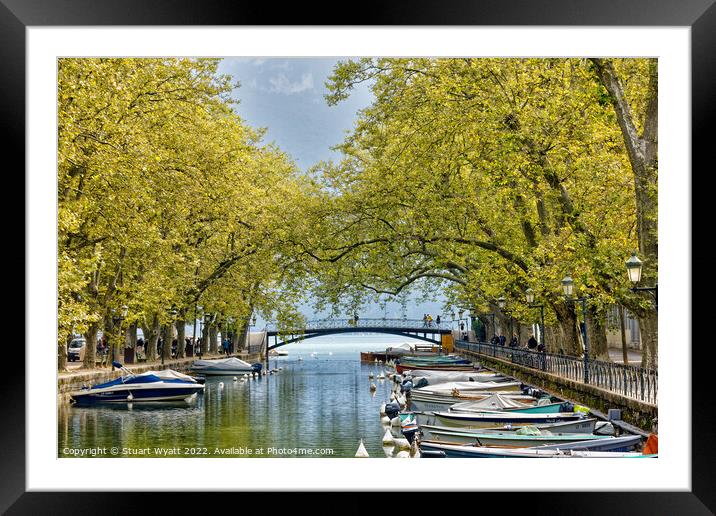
319,406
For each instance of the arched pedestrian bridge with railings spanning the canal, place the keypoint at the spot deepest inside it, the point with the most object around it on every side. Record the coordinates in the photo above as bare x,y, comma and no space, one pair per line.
413,328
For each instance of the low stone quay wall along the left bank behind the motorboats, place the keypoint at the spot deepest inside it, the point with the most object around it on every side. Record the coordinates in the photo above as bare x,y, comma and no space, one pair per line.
73,381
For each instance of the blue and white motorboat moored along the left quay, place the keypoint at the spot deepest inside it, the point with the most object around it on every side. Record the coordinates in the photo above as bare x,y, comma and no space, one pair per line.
152,386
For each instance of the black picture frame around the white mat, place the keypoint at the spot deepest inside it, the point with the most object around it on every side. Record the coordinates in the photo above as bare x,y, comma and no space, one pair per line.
699,15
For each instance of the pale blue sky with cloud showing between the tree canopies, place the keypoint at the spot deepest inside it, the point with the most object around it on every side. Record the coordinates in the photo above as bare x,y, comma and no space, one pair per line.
286,96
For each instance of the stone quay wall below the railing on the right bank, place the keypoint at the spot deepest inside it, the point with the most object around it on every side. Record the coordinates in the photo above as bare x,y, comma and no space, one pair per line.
634,412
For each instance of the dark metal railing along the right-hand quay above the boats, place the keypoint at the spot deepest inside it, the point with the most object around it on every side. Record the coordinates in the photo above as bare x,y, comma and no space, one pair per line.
626,380
